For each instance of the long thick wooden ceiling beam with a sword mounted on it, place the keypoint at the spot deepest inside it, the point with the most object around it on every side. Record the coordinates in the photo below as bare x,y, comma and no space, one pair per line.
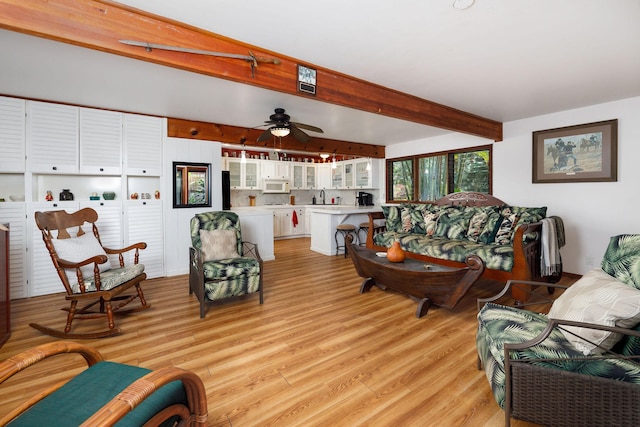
100,24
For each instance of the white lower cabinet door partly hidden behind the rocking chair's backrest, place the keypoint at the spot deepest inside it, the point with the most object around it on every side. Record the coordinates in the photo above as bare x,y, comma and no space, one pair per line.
44,278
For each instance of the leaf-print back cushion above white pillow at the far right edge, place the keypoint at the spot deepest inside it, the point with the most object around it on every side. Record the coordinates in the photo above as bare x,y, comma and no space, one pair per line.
621,259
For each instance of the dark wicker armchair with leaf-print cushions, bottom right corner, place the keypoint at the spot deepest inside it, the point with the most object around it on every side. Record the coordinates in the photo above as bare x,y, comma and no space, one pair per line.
554,372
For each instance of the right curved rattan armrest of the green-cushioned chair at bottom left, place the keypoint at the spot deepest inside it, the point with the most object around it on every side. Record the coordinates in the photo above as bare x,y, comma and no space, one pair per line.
144,387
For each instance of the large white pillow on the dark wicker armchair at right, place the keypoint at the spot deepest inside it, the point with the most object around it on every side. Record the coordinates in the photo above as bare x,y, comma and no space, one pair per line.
601,299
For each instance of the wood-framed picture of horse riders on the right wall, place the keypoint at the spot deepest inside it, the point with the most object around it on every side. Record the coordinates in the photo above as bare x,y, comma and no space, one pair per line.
580,153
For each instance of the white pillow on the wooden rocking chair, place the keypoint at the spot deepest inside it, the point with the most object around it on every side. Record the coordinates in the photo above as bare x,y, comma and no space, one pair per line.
76,249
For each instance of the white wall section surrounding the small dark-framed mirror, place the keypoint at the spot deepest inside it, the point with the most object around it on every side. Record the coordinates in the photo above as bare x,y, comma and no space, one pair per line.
176,221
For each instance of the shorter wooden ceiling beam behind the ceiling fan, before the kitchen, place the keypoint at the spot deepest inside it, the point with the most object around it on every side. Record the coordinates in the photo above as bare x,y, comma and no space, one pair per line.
179,128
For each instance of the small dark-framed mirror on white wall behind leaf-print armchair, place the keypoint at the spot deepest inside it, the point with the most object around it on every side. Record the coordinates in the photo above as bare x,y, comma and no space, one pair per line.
191,185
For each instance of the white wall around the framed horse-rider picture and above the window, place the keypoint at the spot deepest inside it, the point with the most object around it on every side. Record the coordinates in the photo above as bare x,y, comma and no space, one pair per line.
592,212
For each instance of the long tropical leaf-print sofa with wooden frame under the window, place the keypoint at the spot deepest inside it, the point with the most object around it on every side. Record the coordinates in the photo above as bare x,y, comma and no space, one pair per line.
503,236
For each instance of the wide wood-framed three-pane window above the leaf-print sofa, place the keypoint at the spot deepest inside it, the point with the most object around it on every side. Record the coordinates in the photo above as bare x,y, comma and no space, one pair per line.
437,174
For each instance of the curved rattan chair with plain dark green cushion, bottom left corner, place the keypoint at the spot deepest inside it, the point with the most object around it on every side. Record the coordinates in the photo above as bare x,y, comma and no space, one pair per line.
107,393
